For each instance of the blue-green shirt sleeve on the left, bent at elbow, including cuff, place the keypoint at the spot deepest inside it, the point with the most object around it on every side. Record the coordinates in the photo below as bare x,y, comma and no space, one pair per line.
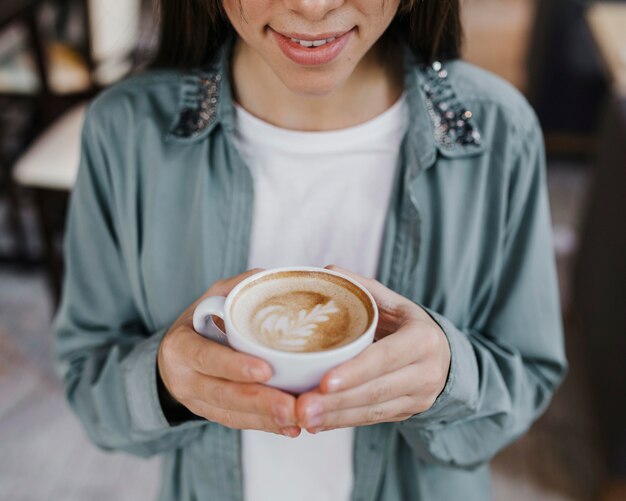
103,351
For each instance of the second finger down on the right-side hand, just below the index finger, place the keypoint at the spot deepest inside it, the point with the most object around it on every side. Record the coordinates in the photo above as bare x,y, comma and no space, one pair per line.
310,406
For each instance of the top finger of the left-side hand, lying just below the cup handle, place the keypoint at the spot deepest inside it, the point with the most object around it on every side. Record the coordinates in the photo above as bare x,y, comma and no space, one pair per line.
213,359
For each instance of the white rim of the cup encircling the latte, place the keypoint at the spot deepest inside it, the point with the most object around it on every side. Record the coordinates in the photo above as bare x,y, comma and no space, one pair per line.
262,349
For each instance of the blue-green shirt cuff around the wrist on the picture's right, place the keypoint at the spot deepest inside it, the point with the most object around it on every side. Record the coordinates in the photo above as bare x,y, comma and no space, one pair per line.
460,394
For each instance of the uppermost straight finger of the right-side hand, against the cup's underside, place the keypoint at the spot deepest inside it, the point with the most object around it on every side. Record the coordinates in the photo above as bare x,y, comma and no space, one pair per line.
401,348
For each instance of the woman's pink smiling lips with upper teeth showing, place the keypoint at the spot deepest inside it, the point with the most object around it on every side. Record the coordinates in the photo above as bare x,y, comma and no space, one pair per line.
311,50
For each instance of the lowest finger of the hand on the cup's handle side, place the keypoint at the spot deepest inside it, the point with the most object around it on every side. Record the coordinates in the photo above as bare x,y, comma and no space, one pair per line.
238,420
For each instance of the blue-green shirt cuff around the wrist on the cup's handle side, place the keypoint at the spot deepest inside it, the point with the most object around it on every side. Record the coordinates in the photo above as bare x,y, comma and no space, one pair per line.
141,385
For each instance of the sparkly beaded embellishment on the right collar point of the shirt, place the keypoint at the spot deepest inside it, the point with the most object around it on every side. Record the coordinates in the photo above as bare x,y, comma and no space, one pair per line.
452,122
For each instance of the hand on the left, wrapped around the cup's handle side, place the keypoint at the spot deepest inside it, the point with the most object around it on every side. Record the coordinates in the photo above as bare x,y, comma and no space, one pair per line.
218,383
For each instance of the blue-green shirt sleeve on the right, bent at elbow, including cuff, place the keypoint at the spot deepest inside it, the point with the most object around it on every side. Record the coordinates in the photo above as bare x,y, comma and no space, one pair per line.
502,376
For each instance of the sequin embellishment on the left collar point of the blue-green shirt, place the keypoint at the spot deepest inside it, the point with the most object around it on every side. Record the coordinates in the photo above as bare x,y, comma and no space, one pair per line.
199,108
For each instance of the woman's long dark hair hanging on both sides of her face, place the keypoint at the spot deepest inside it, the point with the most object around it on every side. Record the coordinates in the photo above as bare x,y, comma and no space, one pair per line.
193,30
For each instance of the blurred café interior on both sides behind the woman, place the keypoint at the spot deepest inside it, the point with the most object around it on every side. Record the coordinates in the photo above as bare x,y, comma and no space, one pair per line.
567,56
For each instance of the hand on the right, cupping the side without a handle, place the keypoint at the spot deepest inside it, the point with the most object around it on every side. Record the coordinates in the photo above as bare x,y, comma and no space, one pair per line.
398,376
